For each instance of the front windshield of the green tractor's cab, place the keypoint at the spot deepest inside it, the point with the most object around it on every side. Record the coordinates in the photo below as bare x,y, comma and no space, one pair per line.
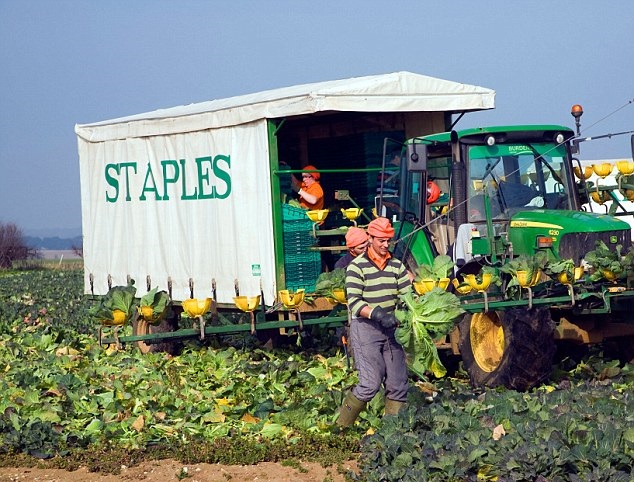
516,177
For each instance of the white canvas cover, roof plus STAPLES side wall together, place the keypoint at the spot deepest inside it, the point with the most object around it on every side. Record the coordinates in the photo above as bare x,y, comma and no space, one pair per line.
183,195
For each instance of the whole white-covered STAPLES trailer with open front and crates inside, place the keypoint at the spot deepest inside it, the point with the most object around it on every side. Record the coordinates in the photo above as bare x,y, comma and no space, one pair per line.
190,199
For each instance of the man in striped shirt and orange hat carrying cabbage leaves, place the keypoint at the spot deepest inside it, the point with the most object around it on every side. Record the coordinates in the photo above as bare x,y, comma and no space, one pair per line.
374,281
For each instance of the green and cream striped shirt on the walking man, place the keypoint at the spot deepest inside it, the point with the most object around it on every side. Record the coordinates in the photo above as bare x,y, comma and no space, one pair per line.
367,285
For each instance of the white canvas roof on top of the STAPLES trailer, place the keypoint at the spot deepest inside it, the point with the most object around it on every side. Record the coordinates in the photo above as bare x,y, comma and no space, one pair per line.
395,92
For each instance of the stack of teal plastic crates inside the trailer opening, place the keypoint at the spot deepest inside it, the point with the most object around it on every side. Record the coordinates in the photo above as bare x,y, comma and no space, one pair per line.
302,266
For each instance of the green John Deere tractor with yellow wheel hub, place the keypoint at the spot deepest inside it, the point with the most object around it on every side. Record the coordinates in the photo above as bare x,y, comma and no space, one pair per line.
509,194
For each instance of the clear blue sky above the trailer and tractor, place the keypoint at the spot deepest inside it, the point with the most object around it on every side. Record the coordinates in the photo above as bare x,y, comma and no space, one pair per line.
65,62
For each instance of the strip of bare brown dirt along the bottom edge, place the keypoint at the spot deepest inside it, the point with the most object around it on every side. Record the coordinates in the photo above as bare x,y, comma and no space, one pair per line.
170,470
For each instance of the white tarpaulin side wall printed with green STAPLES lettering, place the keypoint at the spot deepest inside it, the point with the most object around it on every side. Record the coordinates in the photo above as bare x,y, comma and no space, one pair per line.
182,207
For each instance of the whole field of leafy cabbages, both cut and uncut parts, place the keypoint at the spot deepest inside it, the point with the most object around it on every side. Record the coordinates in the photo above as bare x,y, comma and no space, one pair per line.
65,401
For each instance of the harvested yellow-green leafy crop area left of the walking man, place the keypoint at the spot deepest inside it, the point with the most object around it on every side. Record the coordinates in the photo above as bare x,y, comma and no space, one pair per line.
61,391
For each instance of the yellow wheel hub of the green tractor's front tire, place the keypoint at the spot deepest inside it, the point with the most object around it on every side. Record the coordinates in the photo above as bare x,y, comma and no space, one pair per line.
487,340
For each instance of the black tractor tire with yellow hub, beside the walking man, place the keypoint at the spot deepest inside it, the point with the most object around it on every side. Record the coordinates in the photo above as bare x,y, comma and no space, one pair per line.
512,348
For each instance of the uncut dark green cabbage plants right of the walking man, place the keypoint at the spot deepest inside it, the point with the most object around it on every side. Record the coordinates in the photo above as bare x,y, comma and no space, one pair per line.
575,430
